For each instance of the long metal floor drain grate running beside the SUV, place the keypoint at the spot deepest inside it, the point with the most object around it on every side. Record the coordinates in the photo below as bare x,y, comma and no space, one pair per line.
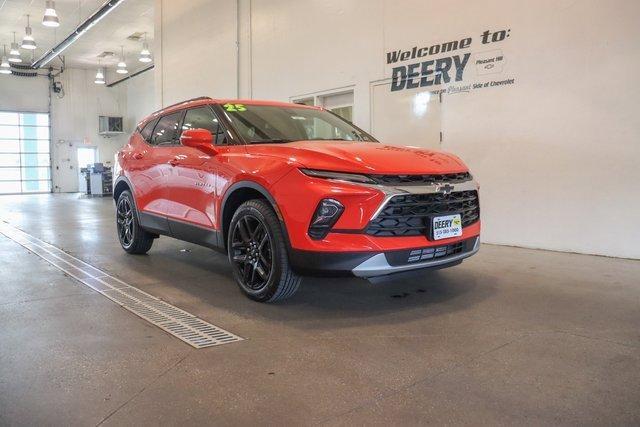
185,326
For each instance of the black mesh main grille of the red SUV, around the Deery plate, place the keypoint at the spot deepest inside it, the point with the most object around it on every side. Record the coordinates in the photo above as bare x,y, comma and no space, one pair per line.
409,215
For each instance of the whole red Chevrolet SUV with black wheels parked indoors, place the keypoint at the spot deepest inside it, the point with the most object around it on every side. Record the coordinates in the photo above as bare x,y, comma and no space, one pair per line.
287,190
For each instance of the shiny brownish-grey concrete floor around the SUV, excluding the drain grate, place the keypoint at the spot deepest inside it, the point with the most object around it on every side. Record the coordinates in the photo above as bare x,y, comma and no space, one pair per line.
511,336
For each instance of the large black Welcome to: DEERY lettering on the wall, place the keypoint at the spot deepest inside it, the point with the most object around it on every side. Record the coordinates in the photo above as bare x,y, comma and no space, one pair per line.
436,71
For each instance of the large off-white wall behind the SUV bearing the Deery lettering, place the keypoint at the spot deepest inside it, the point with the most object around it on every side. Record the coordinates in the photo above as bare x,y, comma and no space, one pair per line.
555,152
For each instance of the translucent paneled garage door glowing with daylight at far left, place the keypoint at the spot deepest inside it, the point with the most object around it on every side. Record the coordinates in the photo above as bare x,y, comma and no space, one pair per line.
25,163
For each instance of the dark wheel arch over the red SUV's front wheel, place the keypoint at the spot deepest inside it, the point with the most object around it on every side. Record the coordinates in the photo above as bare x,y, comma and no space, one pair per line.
239,193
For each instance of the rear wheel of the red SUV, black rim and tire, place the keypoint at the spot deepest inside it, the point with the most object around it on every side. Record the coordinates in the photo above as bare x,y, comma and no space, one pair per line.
133,238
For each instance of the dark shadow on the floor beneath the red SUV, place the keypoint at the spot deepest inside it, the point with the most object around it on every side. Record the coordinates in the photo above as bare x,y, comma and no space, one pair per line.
320,303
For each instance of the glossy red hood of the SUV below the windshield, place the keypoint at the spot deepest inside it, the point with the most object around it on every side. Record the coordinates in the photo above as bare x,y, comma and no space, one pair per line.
362,157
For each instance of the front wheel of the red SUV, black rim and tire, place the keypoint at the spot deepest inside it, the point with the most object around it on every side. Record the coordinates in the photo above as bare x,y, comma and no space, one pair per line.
258,254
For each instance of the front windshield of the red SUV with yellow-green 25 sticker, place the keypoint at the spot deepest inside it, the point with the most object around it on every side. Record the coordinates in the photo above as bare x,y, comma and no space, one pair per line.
262,124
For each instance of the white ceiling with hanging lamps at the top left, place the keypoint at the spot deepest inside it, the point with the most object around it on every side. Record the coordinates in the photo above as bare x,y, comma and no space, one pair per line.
108,35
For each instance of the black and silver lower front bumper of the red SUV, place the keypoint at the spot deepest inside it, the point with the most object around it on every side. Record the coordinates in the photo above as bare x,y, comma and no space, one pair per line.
373,264
